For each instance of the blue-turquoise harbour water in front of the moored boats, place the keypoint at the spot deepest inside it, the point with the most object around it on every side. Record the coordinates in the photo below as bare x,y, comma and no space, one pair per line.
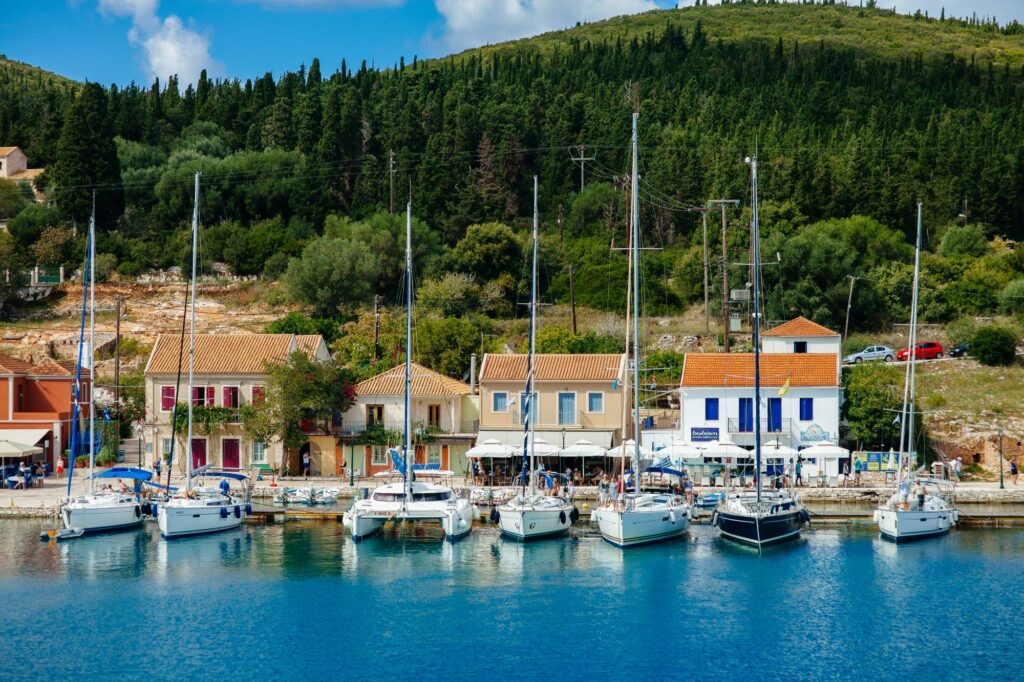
302,602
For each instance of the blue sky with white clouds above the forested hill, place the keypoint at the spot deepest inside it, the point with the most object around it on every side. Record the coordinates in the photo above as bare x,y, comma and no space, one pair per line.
119,41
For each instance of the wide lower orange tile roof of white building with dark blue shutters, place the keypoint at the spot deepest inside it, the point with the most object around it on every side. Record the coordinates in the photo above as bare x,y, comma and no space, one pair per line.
738,370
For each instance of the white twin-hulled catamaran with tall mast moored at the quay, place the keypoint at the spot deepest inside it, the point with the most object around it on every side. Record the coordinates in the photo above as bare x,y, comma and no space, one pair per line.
410,500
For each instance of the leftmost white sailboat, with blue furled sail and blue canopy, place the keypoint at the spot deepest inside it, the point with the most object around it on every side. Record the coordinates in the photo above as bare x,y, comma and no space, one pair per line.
110,509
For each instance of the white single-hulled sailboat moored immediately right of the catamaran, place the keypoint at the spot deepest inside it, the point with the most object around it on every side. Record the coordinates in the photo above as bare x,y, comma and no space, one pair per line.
531,516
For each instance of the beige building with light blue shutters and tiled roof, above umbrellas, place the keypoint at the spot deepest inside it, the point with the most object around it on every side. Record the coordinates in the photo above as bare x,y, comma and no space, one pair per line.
579,397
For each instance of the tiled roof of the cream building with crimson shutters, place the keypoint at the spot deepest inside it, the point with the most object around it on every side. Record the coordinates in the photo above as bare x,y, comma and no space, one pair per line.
222,354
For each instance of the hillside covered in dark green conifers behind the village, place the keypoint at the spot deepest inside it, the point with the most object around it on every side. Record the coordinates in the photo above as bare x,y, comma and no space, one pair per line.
855,112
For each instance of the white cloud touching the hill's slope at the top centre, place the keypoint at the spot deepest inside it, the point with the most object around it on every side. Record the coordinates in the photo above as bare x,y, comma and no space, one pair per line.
473,23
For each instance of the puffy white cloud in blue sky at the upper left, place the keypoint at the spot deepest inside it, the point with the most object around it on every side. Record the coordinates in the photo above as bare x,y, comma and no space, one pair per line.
169,48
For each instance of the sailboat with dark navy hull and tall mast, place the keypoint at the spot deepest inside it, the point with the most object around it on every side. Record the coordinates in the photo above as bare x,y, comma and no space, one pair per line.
759,518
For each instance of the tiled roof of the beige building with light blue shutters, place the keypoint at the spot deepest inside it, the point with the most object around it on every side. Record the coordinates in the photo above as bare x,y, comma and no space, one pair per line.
553,367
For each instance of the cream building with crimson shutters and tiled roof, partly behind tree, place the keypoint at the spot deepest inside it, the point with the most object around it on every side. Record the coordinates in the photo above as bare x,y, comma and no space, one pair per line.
229,373
